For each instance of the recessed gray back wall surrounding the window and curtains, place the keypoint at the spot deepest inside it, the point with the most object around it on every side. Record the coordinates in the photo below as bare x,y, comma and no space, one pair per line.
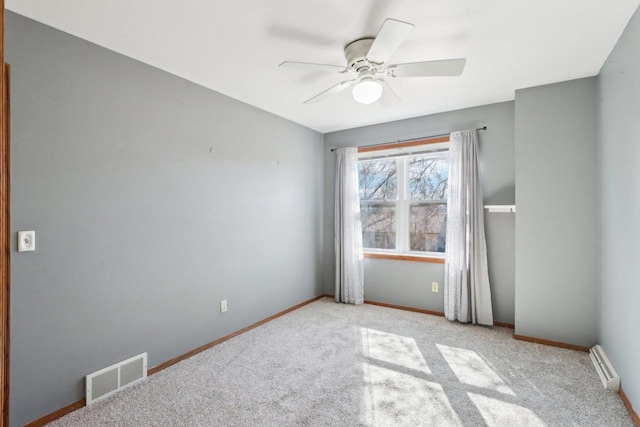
409,283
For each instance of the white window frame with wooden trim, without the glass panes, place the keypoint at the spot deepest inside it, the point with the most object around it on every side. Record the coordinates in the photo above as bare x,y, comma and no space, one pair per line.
402,153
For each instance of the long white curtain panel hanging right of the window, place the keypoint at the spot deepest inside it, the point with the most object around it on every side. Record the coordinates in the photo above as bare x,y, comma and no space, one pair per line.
467,295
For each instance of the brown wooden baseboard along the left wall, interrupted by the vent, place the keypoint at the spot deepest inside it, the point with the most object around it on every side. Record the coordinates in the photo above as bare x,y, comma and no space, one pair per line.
81,403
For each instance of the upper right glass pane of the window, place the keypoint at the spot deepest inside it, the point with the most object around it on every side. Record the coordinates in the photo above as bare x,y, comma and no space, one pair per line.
428,177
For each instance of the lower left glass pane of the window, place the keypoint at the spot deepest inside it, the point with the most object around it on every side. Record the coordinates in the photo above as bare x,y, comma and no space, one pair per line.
378,225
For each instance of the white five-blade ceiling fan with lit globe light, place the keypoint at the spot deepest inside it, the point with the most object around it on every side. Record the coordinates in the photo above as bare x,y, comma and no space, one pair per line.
366,59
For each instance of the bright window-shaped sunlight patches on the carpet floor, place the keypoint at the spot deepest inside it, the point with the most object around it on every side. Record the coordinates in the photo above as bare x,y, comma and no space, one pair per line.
395,385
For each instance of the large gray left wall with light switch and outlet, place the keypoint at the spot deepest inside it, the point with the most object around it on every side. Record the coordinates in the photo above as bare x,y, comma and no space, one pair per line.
140,229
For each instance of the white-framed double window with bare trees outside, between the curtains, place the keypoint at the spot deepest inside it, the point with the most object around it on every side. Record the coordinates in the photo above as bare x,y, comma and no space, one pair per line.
403,203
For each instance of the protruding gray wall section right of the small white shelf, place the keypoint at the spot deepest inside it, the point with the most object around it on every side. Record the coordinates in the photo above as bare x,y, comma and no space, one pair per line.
557,219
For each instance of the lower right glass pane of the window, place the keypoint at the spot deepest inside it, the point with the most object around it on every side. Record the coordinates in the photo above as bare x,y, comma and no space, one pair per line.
427,227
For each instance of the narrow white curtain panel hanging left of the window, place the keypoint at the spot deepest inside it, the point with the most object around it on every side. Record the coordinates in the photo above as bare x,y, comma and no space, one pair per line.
348,229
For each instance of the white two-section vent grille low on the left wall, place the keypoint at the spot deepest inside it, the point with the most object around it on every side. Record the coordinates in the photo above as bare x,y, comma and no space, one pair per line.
103,383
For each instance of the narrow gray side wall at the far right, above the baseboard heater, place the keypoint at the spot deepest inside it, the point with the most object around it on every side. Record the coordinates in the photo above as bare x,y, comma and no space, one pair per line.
619,84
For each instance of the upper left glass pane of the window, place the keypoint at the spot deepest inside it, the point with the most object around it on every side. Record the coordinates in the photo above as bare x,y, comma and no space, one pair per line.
378,180
